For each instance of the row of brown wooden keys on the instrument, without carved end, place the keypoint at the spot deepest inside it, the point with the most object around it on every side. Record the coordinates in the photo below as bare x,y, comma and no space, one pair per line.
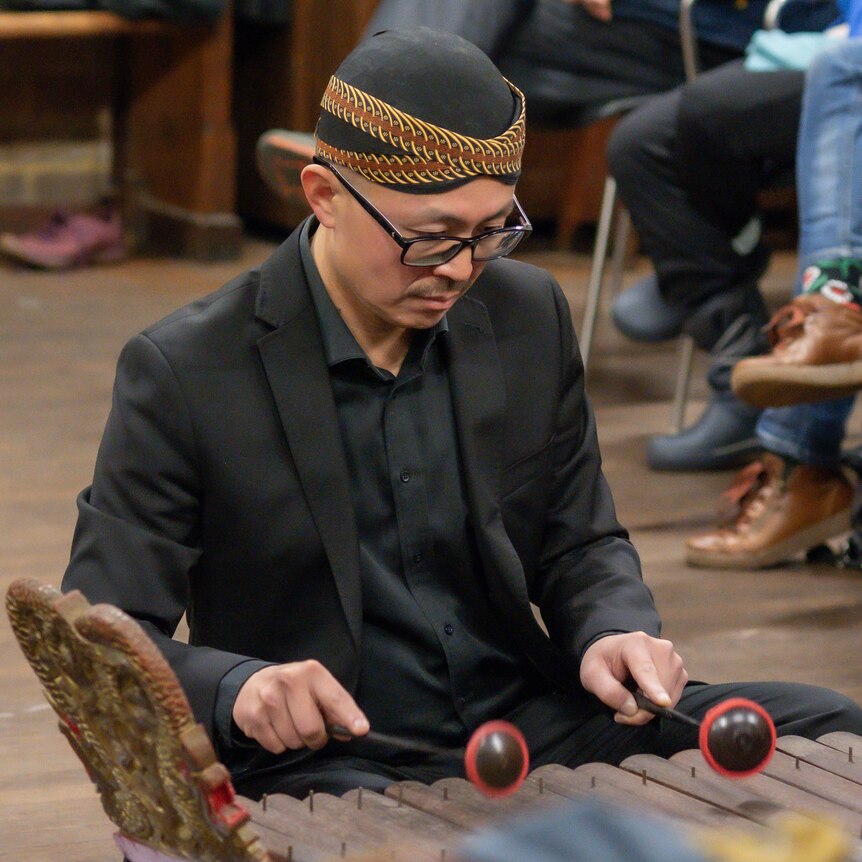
412,821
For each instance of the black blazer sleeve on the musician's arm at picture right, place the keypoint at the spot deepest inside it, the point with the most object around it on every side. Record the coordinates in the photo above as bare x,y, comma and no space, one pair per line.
589,579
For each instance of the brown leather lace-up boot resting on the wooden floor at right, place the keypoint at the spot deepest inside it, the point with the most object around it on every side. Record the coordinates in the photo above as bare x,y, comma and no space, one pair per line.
779,512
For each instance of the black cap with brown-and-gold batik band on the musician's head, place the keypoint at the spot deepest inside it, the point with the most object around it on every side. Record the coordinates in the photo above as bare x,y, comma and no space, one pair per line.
422,111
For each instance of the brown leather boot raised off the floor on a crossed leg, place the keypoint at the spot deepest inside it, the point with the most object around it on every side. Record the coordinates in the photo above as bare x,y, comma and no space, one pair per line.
816,355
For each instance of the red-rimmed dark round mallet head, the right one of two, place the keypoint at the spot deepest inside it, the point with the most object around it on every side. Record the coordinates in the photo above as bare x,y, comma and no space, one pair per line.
737,738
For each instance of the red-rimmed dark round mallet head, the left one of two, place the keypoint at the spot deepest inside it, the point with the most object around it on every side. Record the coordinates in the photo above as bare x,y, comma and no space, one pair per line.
497,759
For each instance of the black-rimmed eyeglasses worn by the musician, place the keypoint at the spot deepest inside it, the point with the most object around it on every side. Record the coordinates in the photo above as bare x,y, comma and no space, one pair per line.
434,250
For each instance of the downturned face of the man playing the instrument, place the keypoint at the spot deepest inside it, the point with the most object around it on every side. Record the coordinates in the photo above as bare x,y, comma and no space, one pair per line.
363,268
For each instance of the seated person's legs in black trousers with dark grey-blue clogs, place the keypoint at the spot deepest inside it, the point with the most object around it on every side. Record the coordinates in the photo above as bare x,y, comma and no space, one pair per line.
689,165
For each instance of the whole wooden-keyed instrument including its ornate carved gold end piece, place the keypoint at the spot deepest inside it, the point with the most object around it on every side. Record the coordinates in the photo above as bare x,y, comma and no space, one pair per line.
123,712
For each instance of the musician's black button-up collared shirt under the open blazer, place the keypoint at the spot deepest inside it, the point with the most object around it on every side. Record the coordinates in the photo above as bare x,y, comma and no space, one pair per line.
435,662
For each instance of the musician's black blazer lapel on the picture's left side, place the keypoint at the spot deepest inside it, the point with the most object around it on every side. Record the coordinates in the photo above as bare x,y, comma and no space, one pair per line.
298,375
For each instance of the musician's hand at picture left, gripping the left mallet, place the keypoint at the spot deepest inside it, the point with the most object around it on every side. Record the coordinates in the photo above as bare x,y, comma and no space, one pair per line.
288,706
